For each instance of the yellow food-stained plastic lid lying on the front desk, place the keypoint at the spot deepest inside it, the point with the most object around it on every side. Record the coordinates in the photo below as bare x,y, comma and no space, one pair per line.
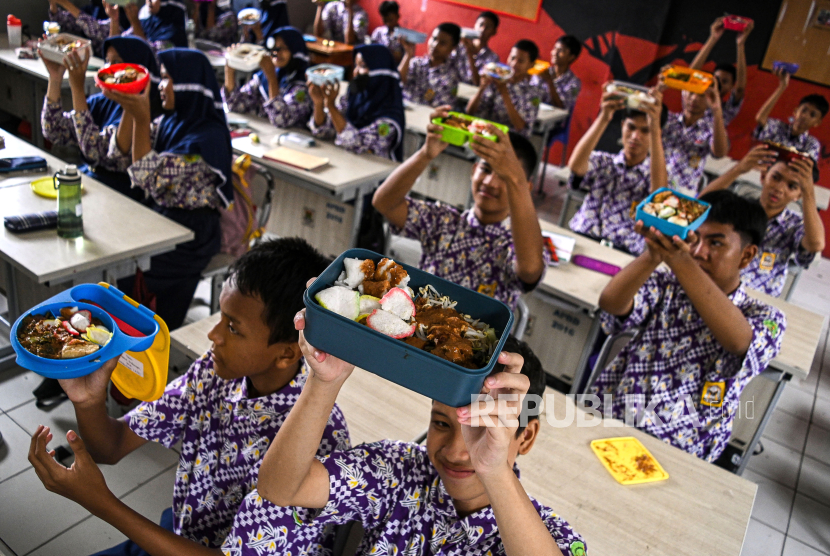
619,457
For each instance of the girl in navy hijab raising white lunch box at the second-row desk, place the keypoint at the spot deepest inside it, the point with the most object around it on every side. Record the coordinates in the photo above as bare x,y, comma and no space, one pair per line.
278,91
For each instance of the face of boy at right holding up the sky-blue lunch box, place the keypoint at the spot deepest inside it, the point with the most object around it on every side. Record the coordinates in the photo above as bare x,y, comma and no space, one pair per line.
720,252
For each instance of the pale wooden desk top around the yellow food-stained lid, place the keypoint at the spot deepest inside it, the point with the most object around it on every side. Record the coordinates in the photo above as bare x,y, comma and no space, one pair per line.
699,509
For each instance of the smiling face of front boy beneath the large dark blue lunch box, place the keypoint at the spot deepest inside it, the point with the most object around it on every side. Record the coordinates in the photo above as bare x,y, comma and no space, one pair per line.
448,453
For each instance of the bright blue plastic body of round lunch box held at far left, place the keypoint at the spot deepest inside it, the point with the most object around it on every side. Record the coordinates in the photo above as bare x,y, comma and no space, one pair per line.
106,303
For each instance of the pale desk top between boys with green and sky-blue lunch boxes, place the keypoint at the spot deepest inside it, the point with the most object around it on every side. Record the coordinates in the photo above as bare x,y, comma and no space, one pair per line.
576,284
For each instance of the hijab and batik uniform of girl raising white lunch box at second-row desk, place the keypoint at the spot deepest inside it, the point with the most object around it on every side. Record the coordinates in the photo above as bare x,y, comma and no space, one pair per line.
293,106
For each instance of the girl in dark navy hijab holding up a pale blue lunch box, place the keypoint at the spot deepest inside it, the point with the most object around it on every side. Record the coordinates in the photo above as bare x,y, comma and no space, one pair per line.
370,117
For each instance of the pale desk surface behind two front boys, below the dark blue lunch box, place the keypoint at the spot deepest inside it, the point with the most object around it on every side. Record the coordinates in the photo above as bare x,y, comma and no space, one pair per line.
375,408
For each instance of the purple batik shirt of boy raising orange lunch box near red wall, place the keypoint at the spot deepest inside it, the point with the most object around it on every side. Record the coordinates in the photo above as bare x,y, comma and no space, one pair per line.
686,149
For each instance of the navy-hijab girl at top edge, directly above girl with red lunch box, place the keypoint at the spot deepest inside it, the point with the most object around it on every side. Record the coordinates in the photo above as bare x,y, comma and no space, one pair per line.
160,22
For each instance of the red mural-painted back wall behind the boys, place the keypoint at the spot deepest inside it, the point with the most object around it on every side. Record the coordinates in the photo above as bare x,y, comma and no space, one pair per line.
636,54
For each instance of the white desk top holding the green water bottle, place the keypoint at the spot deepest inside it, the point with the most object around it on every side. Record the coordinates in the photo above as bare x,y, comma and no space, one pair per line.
116,228
